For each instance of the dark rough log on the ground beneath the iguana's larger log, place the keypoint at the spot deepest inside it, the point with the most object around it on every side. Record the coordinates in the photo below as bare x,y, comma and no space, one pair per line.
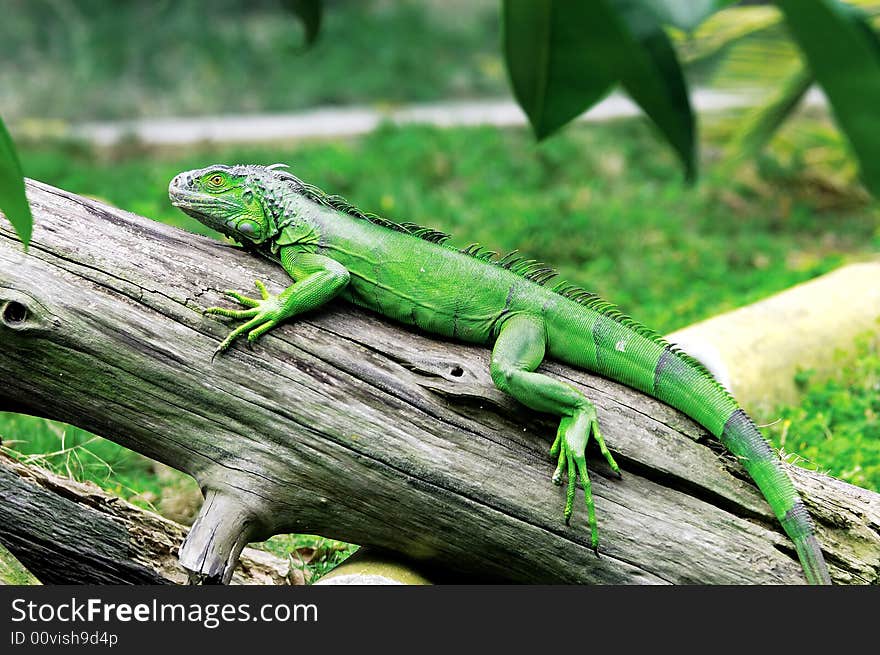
69,532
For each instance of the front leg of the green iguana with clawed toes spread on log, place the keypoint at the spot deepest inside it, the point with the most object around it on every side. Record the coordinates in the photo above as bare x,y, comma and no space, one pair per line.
317,279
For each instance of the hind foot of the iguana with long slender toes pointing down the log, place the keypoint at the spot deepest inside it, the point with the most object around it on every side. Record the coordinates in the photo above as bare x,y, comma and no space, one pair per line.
570,447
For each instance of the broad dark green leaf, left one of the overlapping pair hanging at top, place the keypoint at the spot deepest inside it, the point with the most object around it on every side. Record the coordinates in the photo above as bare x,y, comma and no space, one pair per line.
557,59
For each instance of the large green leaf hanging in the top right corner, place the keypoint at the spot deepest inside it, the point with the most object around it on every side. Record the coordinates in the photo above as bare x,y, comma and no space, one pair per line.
846,63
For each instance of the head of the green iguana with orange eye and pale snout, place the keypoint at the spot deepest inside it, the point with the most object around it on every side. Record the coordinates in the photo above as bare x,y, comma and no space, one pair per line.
230,199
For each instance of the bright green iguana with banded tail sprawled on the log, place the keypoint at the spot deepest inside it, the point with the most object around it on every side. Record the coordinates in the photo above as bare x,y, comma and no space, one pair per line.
410,274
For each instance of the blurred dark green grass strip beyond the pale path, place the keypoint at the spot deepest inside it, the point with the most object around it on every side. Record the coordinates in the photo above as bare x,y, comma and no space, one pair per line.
77,60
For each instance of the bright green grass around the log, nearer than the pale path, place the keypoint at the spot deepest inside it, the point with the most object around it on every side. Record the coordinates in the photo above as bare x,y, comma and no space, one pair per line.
605,204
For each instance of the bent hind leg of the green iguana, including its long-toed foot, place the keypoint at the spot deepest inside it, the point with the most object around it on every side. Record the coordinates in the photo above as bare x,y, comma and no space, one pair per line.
518,351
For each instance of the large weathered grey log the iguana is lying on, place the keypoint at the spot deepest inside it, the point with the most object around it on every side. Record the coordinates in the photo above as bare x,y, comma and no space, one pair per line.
345,425
